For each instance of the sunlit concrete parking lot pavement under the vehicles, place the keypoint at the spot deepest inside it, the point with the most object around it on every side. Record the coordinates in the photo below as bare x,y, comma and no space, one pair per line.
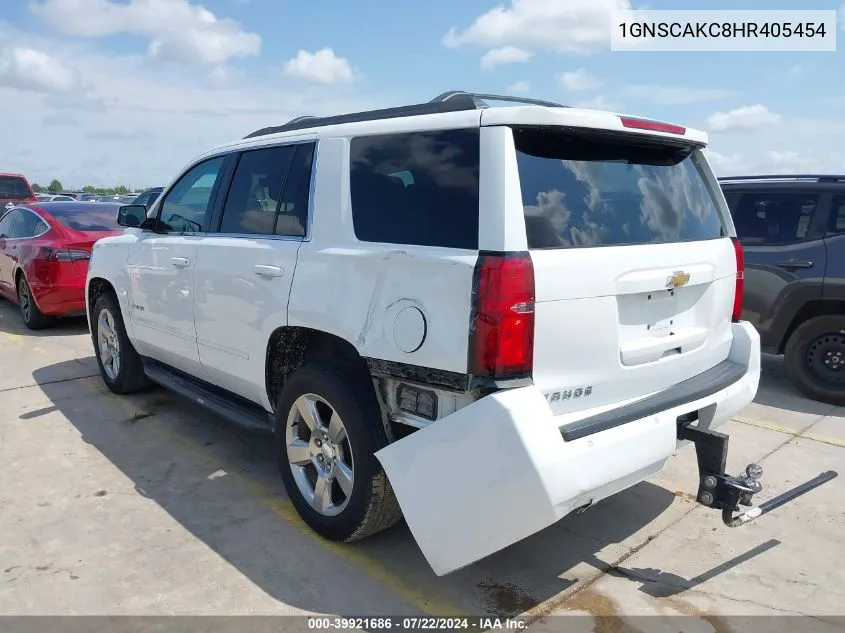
147,505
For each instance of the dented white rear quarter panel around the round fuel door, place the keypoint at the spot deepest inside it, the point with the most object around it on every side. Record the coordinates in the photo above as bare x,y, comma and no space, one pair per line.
356,290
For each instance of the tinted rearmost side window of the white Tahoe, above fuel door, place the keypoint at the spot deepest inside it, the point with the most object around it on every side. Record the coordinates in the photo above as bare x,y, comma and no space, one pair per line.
416,188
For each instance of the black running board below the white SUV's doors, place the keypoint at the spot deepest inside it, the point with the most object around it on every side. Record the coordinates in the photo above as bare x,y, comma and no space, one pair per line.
228,406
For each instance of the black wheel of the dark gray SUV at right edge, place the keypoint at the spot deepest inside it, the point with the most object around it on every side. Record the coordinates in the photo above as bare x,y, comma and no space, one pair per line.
815,359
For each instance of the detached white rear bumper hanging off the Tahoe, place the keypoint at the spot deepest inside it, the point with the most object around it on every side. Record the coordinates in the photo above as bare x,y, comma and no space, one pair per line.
501,469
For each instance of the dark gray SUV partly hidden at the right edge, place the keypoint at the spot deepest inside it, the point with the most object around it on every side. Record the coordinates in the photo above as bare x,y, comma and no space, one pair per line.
792,228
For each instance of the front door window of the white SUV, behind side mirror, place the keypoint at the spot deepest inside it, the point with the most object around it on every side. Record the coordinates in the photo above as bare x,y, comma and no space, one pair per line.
188,203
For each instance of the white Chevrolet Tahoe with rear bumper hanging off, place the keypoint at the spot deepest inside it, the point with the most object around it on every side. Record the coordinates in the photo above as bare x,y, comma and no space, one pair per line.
487,316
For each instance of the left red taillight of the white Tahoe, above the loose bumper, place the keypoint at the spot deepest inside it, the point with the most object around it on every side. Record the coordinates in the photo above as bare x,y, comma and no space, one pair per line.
502,327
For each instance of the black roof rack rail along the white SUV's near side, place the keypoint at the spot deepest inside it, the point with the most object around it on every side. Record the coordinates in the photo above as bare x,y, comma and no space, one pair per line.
453,101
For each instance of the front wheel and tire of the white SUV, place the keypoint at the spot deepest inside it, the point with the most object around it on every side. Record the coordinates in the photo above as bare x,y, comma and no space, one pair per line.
120,365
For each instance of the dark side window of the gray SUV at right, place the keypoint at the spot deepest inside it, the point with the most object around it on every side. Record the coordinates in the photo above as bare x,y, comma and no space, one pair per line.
774,217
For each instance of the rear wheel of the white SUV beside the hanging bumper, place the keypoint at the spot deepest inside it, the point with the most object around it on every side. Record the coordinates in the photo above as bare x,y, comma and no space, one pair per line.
328,429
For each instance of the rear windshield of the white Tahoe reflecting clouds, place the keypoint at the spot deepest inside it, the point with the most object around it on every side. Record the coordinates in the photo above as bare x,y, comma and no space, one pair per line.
581,190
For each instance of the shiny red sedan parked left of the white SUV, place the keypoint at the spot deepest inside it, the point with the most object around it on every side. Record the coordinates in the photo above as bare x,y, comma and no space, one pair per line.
44,253
